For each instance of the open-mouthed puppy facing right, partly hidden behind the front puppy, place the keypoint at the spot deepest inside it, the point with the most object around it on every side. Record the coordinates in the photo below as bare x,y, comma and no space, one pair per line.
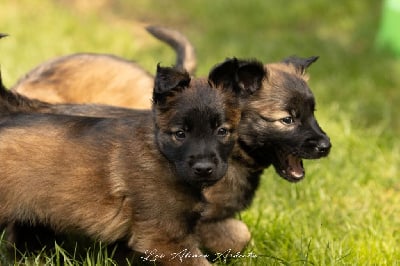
277,128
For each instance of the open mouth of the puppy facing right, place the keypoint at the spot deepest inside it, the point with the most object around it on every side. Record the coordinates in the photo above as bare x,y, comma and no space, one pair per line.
290,167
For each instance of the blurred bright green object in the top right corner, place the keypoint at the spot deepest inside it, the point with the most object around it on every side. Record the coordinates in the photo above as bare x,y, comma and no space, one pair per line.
389,31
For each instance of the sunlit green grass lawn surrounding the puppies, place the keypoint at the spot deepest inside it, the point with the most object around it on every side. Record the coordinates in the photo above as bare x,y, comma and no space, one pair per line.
346,211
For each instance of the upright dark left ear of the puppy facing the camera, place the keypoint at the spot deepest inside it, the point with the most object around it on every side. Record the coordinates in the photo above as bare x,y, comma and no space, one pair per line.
167,80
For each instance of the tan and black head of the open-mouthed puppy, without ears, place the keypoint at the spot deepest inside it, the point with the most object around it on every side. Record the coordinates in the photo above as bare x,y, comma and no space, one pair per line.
279,126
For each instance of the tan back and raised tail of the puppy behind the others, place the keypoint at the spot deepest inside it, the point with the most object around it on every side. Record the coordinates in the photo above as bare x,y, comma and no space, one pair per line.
92,78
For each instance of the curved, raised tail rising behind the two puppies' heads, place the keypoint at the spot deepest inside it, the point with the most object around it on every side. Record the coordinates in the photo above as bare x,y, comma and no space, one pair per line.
185,52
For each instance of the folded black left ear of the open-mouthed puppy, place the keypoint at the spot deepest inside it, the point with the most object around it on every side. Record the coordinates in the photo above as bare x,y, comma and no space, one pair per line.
244,77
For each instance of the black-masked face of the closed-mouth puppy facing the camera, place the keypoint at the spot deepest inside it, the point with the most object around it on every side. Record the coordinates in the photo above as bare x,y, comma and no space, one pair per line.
196,131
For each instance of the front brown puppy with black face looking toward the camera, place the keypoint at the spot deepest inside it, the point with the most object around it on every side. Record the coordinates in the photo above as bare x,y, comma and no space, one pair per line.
137,180
